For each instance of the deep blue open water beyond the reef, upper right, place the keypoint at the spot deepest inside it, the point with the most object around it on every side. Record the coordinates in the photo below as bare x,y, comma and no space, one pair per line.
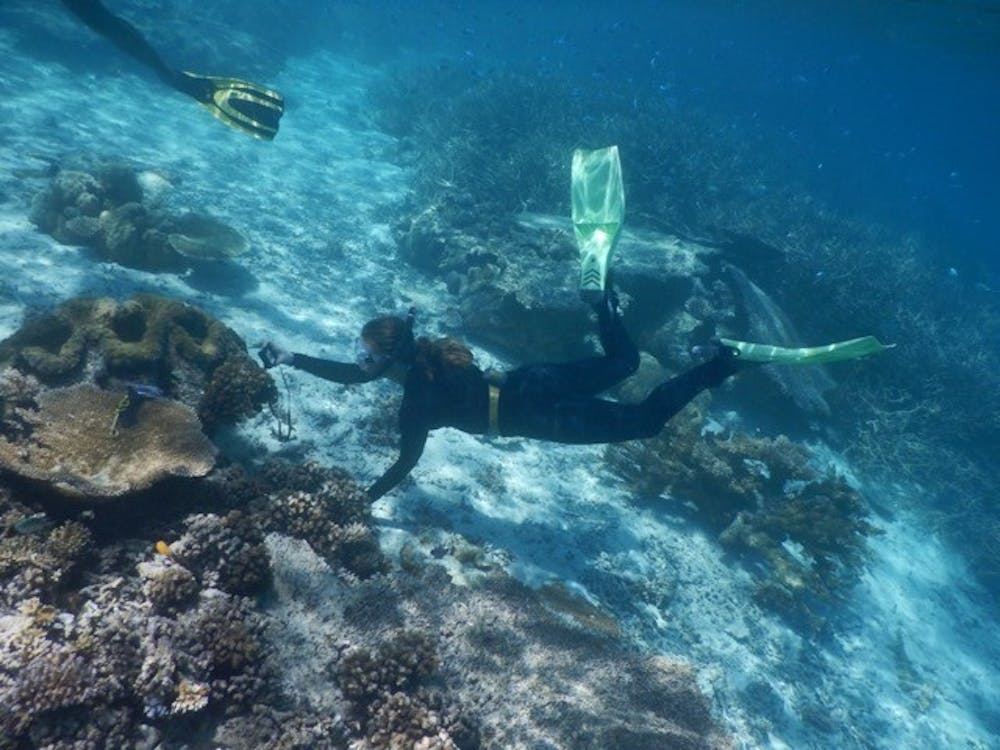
887,109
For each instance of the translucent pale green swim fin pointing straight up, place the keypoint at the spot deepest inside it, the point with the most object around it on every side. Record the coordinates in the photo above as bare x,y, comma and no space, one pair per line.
598,198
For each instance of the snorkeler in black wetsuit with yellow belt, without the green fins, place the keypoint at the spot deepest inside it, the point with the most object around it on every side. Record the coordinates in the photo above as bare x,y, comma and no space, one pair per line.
558,402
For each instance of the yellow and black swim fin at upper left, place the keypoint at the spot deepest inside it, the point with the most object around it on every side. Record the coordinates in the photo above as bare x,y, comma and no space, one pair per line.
240,104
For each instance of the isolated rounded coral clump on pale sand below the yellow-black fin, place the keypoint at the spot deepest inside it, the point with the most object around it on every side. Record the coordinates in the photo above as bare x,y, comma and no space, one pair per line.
104,210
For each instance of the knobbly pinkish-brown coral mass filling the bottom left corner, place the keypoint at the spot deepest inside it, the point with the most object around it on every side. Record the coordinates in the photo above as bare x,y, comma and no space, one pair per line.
111,671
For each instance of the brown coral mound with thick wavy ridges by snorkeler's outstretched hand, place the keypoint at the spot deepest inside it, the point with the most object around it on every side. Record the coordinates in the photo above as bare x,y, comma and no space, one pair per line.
175,346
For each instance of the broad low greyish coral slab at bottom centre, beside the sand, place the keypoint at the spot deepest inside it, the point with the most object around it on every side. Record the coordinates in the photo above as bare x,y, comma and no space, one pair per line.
426,663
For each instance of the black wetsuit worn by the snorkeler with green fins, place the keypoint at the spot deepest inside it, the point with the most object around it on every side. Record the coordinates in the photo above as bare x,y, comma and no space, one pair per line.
555,402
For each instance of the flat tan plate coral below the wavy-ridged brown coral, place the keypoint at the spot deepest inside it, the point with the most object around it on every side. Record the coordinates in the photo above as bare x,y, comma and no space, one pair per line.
69,444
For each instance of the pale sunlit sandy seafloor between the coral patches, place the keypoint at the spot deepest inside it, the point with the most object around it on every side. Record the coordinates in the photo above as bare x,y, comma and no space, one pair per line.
915,659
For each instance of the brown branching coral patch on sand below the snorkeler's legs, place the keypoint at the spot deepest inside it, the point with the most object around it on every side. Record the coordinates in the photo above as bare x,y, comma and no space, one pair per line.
766,499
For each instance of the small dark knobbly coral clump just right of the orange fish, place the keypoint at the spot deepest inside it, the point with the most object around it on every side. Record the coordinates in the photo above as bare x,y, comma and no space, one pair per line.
225,552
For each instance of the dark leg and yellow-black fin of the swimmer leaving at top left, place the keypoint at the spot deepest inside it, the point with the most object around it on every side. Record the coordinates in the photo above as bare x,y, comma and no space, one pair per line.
242,105
